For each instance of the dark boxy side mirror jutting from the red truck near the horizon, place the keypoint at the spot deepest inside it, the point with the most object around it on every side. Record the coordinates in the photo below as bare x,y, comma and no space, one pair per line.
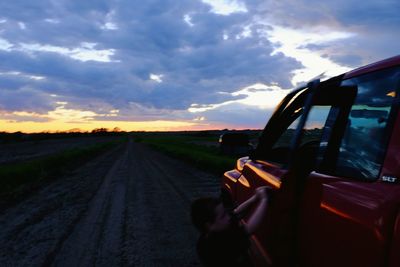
233,143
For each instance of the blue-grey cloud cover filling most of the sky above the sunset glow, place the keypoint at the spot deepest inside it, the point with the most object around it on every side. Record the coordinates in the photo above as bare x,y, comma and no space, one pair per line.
201,60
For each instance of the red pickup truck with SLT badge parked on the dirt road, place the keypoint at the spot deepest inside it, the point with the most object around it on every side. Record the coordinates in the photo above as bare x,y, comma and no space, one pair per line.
331,153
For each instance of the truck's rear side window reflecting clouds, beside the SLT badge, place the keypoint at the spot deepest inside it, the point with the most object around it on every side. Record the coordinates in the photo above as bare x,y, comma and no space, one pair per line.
366,135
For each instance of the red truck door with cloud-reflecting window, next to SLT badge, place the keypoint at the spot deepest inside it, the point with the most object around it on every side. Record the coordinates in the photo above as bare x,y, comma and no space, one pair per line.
347,210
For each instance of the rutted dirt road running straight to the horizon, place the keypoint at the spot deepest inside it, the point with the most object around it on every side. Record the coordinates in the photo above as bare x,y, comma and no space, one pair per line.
129,207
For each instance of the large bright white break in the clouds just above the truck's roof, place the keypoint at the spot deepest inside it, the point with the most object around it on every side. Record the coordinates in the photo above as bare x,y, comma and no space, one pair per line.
293,43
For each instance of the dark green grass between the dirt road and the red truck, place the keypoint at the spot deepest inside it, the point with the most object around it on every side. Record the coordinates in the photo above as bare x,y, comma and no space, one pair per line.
197,148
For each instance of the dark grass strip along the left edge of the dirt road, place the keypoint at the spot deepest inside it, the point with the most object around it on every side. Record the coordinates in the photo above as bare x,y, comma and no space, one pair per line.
17,179
